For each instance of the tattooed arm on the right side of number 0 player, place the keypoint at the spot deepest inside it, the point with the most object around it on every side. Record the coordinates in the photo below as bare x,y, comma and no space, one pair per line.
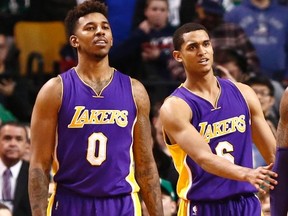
145,167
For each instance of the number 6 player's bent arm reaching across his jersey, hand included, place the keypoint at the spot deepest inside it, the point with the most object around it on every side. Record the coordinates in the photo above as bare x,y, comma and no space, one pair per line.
175,115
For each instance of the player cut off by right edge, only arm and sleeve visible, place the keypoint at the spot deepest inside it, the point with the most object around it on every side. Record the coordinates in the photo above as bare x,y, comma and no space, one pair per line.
279,196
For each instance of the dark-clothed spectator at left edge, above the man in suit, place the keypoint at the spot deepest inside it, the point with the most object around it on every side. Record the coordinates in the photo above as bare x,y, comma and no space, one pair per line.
15,91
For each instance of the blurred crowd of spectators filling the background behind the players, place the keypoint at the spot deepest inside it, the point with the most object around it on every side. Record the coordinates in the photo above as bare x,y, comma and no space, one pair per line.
249,37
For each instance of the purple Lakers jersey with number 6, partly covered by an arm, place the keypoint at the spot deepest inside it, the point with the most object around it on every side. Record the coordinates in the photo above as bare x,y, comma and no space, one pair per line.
226,129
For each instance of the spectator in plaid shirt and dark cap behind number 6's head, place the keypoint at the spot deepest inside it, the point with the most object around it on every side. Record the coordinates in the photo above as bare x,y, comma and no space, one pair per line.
226,34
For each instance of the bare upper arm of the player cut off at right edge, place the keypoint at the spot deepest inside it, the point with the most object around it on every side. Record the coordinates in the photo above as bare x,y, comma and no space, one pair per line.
282,129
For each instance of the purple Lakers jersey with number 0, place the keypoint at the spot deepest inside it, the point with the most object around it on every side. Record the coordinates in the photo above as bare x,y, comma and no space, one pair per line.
93,153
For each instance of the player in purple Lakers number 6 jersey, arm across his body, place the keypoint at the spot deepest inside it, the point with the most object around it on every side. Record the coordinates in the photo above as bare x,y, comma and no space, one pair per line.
209,124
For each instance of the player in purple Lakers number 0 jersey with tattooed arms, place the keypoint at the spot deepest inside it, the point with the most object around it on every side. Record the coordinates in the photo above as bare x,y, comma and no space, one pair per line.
91,124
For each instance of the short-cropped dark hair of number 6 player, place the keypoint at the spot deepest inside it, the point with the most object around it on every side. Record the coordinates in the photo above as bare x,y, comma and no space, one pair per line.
188,27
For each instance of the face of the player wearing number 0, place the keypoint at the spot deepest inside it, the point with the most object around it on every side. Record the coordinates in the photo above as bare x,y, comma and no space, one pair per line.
93,35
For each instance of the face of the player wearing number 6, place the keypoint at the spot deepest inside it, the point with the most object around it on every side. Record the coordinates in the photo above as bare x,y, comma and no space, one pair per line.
196,53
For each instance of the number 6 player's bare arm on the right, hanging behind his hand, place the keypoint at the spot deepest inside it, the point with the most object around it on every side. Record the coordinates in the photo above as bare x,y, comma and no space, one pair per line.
262,134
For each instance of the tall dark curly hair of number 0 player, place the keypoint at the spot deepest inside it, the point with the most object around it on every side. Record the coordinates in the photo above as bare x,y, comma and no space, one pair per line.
87,7
